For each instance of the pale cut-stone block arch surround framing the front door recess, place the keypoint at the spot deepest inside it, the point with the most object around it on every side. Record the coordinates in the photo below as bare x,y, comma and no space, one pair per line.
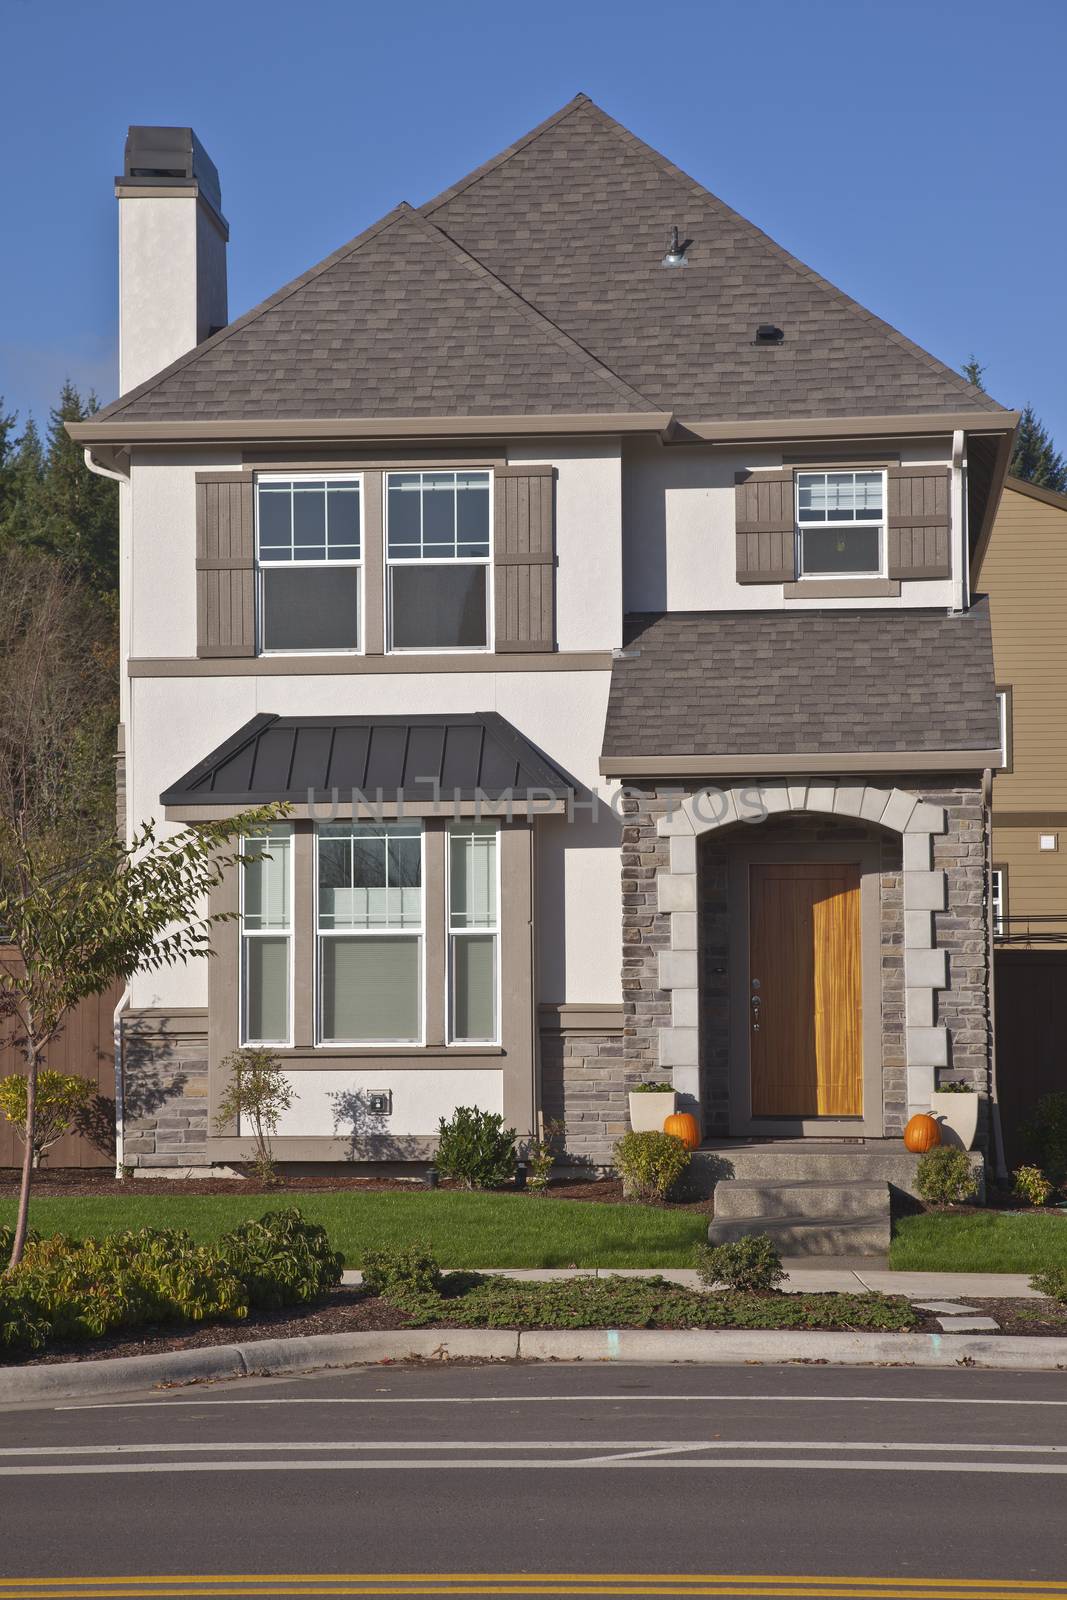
925,967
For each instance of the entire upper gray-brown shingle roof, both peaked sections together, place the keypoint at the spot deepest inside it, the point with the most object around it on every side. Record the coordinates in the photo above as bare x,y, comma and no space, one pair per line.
535,286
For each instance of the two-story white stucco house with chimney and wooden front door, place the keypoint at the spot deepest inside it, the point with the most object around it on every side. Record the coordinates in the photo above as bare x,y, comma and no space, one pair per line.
593,578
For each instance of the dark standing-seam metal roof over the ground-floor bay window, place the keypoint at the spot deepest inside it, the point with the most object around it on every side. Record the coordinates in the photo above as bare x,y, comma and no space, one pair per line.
282,758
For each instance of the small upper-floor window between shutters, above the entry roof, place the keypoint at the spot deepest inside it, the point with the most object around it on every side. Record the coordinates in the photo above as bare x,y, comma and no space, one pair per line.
841,524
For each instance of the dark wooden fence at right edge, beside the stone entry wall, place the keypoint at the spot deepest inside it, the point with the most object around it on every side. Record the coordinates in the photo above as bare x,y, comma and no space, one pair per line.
1031,1034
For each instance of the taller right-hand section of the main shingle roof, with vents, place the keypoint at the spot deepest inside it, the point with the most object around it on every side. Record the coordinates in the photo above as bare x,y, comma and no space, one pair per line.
577,220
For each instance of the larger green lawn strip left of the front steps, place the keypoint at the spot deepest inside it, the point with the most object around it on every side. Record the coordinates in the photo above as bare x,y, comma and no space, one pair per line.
465,1230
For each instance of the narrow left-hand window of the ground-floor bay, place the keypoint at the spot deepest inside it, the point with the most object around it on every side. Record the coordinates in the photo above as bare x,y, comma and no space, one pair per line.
266,938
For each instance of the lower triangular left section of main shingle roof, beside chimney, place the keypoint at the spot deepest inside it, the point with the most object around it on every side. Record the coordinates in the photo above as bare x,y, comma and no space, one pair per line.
399,322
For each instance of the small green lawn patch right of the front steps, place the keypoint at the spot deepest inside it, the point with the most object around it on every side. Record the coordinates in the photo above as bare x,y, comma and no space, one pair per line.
978,1242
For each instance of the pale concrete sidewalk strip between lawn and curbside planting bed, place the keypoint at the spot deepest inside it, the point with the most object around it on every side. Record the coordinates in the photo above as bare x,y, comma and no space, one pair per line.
807,1279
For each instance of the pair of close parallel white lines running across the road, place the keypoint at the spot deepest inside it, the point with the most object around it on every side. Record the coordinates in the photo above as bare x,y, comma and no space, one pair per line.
631,1446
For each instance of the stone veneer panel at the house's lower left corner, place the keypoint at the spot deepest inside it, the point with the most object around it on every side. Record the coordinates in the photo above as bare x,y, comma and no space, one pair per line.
166,1089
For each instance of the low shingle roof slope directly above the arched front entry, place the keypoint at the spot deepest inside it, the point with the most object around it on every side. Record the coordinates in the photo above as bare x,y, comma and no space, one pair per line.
804,682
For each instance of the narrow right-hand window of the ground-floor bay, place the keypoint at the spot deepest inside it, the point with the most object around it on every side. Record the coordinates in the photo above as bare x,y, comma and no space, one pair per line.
473,935
